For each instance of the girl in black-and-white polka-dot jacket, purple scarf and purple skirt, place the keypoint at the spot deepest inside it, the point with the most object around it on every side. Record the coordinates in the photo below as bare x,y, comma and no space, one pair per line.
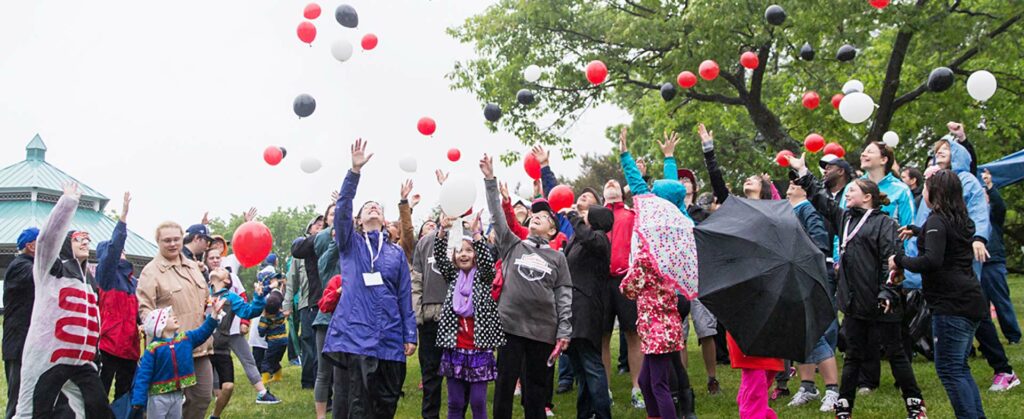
471,329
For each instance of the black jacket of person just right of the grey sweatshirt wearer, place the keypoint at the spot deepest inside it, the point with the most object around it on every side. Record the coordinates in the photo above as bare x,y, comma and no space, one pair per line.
589,256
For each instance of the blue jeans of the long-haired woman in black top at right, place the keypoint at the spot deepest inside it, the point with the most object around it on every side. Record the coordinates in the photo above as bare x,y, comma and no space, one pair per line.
954,337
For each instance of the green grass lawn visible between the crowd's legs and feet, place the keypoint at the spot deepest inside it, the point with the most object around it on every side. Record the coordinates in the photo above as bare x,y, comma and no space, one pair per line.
883,403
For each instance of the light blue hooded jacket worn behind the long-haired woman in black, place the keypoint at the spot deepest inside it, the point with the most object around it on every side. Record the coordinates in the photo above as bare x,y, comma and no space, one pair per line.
974,197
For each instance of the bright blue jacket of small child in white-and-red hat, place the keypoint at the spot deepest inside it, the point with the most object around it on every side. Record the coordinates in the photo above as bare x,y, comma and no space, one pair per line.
167,364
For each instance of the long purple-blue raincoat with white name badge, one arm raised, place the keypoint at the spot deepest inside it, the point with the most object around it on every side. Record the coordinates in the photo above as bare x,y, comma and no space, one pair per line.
376,321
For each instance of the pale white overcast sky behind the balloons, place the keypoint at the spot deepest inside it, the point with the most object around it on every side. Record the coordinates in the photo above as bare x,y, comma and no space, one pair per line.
177,103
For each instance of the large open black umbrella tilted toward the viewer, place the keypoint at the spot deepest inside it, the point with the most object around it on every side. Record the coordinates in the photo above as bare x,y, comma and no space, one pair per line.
761,276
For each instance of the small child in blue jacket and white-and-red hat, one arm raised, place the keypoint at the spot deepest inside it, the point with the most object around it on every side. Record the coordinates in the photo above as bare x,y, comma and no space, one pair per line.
167,364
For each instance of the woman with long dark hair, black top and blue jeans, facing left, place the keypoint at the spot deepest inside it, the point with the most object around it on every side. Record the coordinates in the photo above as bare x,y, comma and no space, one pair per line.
951,288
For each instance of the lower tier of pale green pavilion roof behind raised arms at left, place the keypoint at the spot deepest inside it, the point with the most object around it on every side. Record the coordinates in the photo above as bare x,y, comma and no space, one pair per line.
18,216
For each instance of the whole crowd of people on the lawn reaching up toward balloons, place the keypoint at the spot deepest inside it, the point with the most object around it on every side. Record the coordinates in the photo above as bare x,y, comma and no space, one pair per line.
505,300
